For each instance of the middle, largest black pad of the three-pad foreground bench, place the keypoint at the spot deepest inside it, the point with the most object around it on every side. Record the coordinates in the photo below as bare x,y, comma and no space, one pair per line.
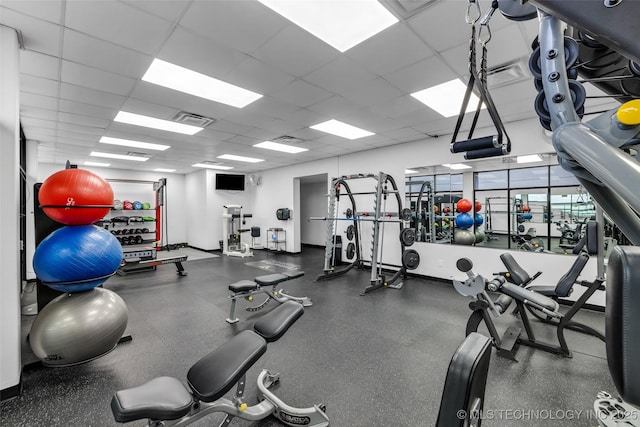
217,372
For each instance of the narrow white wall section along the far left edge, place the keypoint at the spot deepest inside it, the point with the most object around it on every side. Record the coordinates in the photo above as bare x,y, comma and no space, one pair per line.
10,286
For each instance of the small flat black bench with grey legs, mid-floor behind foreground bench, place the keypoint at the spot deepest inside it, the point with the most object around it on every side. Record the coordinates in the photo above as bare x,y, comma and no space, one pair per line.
248,288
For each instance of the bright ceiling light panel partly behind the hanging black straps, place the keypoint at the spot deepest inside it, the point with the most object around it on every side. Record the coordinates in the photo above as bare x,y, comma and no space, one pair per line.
446,98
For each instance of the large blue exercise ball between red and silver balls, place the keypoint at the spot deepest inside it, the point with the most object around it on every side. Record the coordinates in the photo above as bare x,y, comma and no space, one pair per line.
77,258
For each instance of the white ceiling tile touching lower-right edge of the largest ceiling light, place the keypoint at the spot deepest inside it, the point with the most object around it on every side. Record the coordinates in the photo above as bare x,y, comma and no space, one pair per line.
388,51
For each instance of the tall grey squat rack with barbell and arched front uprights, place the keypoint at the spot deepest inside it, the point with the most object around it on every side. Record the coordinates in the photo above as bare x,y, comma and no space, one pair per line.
378,217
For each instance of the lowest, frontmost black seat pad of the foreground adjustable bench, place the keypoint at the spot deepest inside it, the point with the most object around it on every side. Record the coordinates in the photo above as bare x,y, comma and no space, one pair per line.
162,398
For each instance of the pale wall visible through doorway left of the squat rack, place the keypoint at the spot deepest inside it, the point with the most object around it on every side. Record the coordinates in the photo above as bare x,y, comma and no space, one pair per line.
313,202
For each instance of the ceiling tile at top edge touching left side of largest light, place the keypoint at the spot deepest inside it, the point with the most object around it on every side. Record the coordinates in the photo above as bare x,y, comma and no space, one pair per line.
242,25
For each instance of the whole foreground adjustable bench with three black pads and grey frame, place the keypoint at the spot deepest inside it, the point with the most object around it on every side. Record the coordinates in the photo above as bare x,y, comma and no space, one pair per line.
165,401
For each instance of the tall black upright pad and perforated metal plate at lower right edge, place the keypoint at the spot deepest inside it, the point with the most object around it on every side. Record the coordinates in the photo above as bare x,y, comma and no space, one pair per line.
622,326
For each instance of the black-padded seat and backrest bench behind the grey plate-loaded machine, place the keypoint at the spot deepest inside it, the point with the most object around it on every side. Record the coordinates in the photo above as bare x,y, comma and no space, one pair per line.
518,276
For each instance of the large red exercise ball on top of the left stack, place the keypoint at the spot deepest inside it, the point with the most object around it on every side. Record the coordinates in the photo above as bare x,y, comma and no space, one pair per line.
75,188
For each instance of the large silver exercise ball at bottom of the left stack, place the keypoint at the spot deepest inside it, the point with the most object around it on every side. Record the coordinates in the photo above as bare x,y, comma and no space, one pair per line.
78,327
